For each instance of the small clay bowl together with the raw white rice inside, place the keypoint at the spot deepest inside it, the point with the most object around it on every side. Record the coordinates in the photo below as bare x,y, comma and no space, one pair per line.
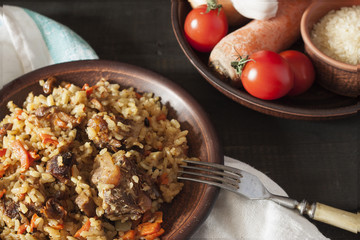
330,31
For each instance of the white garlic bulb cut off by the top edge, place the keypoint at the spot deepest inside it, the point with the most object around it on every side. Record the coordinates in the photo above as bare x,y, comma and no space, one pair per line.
256,9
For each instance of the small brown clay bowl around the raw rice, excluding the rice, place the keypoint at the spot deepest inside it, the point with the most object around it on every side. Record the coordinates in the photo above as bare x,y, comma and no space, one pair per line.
336,76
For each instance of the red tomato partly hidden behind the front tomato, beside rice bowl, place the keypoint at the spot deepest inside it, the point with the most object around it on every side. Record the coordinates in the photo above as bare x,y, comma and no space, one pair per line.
303,69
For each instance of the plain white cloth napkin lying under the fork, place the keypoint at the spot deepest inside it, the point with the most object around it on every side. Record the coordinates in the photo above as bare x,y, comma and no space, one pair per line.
235,217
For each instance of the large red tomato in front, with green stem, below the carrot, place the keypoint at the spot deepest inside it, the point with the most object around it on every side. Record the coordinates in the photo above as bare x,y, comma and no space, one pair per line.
267,76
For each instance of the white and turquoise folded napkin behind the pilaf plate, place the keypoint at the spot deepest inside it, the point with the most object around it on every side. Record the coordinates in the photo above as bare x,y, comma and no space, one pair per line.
30,41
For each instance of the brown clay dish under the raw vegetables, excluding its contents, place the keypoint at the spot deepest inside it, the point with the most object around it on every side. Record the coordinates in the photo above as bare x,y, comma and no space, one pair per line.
316,104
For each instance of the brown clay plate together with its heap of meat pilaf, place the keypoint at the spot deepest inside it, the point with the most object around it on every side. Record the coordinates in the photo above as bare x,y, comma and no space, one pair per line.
59,164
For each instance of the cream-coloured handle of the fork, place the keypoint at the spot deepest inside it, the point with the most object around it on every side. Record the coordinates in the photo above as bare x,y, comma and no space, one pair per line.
338,218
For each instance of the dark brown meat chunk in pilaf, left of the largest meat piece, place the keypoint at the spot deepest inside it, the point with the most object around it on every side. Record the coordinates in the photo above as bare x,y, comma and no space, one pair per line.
60,166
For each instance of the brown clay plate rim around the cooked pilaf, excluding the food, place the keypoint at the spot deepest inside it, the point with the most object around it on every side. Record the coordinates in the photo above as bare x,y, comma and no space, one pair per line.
190,208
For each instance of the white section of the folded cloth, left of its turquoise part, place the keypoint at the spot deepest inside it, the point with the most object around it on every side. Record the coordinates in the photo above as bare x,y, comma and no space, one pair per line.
24,49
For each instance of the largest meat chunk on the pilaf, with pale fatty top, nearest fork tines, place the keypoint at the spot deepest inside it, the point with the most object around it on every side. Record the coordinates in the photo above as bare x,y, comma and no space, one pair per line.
127,198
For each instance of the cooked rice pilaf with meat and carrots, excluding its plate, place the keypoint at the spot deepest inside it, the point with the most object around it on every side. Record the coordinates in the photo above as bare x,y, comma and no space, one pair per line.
88,163
